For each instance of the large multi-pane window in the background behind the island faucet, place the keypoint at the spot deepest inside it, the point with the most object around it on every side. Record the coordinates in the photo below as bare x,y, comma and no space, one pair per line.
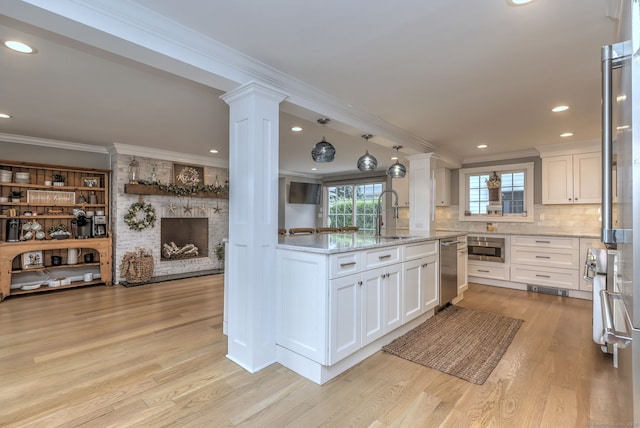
353,205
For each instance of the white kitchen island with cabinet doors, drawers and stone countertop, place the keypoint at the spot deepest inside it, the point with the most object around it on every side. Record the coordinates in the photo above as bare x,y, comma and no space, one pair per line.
341,297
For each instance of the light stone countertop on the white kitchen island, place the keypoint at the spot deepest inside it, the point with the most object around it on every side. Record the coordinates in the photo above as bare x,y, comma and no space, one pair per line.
332,243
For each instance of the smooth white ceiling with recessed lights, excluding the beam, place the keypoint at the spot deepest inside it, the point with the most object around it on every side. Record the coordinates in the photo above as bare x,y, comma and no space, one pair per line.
451,74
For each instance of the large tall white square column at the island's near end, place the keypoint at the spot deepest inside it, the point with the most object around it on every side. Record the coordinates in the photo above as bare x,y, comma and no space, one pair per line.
253,222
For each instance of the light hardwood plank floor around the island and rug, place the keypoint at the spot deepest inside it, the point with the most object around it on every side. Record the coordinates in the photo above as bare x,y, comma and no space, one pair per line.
154,356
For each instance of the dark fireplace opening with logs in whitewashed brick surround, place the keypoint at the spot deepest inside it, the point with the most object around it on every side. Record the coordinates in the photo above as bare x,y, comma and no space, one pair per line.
183,238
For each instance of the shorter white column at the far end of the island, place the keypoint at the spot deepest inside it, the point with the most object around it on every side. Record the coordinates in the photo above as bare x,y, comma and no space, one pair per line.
422,192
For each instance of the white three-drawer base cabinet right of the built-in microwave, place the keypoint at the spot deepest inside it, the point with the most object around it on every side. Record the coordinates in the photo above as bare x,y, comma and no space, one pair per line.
546,261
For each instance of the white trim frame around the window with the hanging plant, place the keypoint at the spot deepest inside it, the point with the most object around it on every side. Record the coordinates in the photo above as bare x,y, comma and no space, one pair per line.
529,180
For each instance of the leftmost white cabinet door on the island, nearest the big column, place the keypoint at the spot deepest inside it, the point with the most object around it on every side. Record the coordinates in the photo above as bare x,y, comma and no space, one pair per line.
345,316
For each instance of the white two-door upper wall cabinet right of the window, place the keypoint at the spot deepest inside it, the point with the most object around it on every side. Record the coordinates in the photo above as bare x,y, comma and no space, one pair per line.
571,179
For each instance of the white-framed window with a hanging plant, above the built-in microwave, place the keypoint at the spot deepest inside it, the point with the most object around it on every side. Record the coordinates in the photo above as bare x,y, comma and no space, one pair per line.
511,201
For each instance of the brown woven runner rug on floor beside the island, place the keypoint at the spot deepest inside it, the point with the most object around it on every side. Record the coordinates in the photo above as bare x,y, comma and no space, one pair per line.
462,342
